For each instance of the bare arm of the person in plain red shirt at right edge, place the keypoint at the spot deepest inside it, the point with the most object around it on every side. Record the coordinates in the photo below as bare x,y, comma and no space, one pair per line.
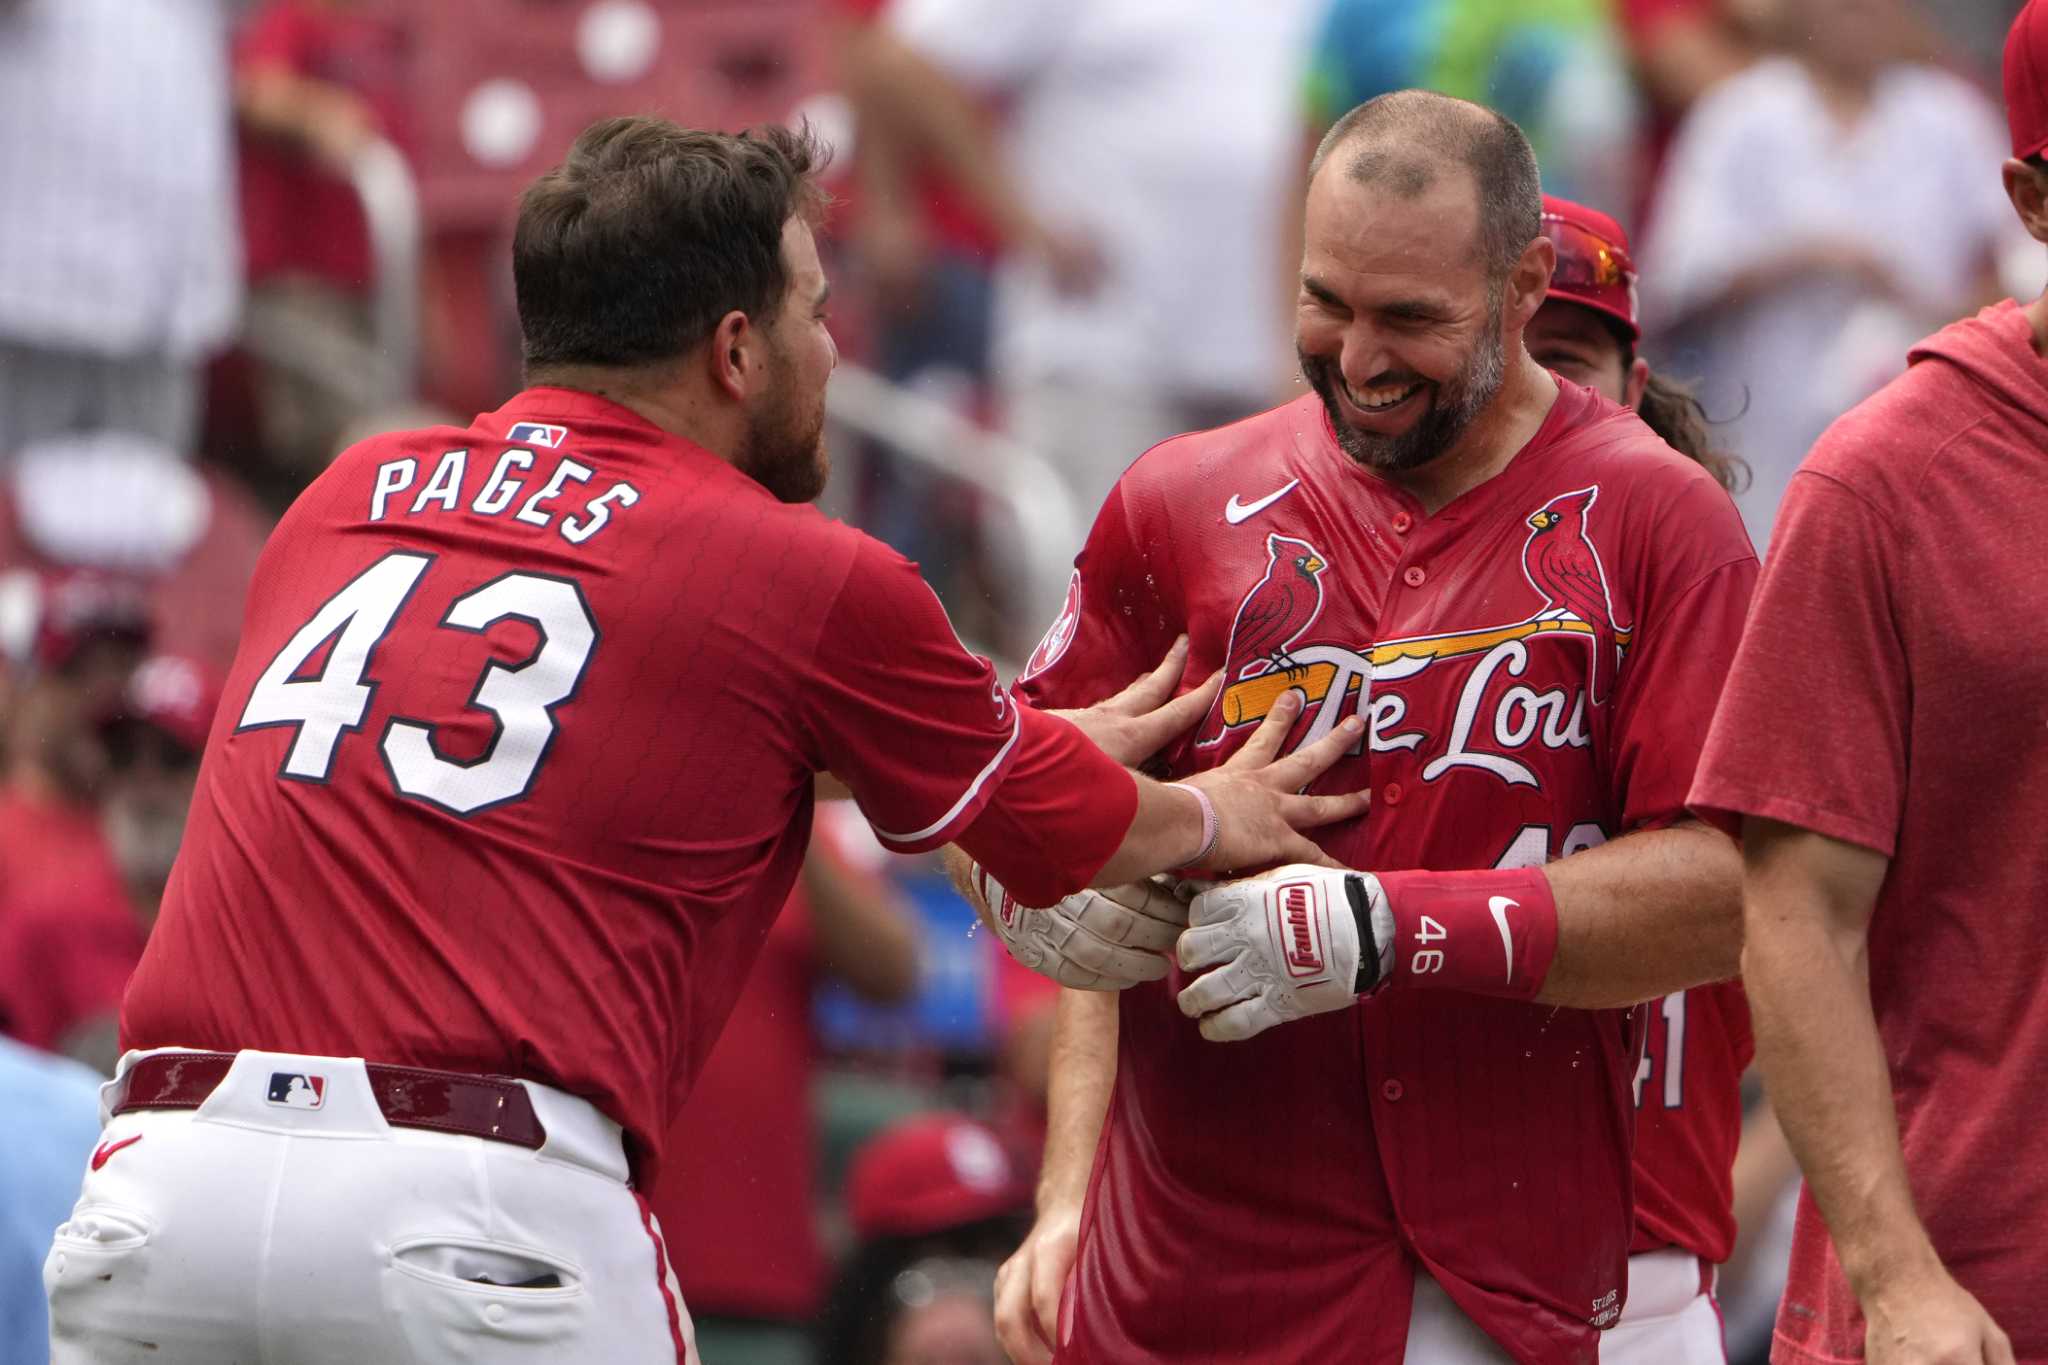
1807,908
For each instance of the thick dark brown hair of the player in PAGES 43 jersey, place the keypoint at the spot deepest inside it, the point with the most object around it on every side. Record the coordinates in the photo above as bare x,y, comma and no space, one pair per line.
648,234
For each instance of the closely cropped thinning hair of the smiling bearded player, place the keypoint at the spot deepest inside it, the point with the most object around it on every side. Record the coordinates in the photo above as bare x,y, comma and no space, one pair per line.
1402,140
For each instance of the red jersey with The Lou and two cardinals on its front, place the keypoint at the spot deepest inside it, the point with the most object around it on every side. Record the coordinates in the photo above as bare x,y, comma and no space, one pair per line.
1537,666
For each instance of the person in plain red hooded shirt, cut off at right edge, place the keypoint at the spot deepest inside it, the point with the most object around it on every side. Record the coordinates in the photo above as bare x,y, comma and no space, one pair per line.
1883,750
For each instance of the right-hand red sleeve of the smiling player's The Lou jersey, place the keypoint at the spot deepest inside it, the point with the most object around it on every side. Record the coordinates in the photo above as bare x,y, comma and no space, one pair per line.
1678,662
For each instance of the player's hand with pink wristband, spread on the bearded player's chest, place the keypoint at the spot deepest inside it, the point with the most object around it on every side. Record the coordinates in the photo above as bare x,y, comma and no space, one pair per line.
1261,809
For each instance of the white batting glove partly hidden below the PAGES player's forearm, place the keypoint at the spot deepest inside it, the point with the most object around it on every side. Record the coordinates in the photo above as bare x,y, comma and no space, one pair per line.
1095,940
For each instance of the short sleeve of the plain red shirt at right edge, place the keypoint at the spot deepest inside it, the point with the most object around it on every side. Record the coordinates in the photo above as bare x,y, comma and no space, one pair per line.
1811,730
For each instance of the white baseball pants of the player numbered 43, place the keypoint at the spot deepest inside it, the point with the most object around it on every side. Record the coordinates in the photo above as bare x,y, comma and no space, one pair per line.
263,1233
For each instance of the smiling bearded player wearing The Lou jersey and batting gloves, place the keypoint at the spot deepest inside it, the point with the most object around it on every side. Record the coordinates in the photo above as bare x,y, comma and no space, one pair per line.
1533,601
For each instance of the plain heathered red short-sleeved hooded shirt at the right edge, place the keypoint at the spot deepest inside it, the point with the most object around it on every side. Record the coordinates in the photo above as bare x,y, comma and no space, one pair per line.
1889,695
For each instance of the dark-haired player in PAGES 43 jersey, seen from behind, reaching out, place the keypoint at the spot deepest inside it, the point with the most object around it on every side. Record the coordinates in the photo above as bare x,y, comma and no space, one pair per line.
511,775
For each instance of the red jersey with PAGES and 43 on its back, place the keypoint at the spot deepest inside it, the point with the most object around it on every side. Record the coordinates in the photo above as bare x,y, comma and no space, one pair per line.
515,762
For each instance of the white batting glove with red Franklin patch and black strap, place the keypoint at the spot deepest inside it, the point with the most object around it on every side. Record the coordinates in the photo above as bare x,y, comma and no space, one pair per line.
1287,944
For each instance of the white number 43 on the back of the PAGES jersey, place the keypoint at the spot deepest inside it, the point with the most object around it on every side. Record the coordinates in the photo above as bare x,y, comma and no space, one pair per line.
521,697
